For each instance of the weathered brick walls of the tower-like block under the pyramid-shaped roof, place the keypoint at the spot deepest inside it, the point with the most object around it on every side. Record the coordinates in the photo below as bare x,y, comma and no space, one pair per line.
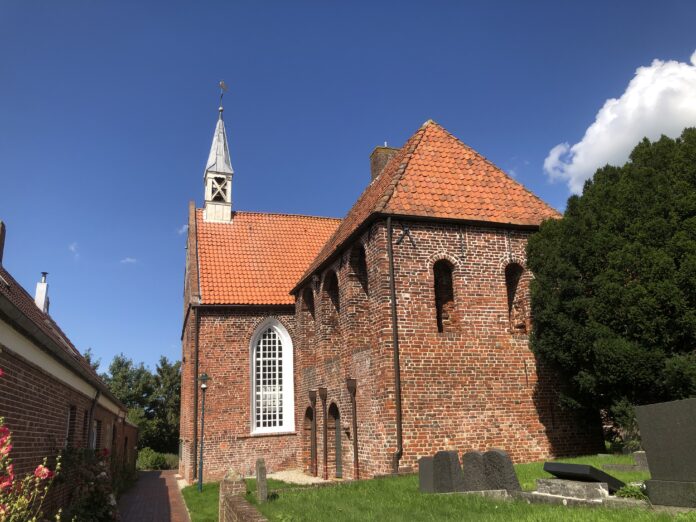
474,386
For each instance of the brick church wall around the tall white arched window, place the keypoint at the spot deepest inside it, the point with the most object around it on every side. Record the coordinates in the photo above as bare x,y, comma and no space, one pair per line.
224,354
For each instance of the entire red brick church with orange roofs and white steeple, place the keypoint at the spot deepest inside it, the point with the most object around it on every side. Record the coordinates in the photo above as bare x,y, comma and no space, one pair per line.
349,348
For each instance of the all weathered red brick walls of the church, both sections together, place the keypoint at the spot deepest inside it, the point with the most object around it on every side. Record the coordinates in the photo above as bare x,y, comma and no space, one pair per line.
474,386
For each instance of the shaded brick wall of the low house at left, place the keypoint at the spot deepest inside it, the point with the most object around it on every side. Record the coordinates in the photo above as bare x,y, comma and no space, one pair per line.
45,414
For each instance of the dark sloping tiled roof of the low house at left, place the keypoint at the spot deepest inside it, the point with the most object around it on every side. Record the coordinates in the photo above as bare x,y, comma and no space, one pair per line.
24,303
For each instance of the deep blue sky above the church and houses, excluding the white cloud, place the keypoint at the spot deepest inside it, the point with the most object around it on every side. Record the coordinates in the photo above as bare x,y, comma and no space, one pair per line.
107,110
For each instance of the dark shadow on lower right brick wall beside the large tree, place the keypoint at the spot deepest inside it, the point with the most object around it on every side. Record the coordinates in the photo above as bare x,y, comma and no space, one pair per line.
570,433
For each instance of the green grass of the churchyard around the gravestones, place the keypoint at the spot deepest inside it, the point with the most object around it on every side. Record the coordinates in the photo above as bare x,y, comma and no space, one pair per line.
398,498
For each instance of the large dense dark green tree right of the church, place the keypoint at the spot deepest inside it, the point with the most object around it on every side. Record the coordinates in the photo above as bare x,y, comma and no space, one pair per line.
614,295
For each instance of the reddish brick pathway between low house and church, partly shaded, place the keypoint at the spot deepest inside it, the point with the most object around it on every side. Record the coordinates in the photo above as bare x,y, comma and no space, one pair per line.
154,498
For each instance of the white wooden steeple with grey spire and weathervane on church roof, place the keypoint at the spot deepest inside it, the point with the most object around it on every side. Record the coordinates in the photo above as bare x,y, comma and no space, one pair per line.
218,175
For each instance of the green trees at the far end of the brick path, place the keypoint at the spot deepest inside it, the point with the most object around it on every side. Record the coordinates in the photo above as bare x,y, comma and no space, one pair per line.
152,399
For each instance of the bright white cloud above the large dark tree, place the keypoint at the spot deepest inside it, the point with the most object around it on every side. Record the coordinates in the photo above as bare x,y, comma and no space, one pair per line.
660,99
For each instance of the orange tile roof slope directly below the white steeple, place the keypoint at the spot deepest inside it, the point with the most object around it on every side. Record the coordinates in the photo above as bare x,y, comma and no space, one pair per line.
256,259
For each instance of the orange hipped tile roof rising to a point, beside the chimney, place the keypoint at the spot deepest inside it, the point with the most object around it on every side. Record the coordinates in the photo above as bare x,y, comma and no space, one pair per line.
435,175
